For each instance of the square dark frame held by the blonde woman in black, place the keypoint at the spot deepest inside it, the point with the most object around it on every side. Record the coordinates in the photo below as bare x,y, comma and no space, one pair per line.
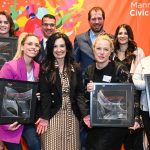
112,105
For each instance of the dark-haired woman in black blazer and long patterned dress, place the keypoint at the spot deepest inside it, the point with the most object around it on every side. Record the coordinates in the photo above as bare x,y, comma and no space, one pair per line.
60,88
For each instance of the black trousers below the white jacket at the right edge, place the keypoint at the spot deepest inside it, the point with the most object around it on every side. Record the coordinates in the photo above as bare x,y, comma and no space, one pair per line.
146,122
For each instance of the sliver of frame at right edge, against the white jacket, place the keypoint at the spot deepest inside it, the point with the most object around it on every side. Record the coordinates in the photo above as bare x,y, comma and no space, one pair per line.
147,85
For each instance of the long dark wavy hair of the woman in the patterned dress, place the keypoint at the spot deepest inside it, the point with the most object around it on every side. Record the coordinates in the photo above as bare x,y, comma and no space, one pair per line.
49,64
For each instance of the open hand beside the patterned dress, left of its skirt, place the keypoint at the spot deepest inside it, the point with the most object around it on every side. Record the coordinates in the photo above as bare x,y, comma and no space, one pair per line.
41,125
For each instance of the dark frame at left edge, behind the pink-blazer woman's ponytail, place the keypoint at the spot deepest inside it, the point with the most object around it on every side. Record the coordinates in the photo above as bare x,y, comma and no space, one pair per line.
8,47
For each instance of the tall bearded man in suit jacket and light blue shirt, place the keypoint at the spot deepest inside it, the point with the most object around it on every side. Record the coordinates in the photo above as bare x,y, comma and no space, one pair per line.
83,42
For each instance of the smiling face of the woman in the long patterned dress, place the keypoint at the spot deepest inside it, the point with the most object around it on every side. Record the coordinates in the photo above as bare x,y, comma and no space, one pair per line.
59,50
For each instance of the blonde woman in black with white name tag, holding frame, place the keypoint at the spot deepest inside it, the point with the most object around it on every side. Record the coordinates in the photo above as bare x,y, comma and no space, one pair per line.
104,70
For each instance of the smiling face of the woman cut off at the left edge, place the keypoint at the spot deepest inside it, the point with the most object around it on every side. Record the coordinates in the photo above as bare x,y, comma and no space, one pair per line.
4,26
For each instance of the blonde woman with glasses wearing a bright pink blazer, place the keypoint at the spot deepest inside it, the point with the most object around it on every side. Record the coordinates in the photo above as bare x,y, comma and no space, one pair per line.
22,67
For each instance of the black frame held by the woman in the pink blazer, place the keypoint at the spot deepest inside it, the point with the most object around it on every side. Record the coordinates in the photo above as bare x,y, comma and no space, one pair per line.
17,101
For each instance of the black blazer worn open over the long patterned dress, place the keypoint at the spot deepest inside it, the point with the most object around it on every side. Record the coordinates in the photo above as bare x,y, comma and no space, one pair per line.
51,94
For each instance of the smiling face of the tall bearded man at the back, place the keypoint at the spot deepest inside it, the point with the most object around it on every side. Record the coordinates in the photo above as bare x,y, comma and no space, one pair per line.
96,21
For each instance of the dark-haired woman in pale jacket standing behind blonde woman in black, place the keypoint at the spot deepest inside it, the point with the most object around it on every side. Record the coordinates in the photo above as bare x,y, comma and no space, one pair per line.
125,48
